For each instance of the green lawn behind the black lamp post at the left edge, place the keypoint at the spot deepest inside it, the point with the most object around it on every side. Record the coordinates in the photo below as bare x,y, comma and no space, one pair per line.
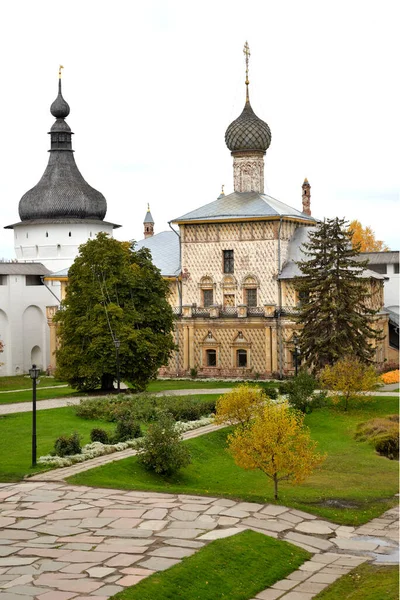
15,437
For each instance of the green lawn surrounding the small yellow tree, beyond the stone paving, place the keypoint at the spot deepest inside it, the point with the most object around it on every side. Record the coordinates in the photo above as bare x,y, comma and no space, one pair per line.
353,486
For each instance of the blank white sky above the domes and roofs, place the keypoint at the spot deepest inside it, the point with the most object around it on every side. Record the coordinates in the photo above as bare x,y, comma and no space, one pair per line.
153,85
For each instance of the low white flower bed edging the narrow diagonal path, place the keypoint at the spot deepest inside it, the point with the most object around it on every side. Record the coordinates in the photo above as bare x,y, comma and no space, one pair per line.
98,449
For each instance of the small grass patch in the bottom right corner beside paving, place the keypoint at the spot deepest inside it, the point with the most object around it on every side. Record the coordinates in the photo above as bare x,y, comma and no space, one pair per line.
366,582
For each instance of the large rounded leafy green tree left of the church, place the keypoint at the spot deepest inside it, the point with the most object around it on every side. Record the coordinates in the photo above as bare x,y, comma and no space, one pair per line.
114,292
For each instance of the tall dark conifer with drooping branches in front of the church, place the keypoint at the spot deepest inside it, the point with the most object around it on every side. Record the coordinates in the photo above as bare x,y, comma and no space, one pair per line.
335,311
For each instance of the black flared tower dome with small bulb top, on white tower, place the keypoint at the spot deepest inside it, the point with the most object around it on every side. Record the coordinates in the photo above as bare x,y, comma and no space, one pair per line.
62,192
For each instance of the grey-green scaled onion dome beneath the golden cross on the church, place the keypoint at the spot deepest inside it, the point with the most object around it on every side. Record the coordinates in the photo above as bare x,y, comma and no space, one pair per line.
248,132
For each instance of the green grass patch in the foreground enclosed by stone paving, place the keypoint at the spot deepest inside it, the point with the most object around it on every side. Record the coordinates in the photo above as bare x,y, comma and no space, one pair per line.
235,568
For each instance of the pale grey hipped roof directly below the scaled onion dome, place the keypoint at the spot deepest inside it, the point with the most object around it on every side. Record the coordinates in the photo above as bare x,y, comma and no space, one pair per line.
243,205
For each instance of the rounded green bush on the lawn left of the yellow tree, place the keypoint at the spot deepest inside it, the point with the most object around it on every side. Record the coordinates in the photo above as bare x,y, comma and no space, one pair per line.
161,450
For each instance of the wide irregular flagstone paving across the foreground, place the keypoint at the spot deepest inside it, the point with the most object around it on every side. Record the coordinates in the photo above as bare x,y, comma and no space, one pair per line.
65,542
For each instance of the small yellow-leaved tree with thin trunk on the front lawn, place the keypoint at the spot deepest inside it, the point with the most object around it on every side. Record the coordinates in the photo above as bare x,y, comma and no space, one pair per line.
277,443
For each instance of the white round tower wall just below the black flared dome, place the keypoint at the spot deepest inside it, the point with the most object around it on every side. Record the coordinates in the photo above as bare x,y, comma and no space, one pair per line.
55,245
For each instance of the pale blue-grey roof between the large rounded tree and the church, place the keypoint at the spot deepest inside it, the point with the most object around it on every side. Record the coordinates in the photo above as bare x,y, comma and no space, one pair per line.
165,252
